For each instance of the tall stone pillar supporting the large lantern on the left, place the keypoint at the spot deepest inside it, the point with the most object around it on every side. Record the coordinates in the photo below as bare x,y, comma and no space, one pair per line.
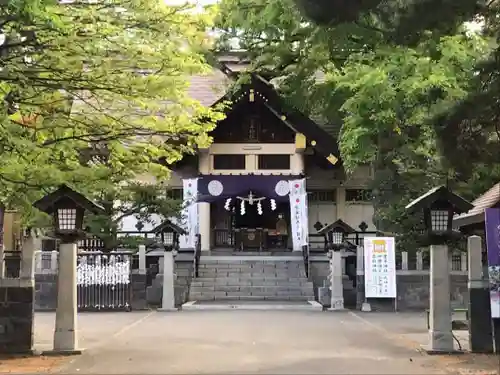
65,335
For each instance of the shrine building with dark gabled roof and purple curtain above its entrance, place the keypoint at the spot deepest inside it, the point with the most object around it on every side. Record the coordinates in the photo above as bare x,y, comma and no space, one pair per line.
242,181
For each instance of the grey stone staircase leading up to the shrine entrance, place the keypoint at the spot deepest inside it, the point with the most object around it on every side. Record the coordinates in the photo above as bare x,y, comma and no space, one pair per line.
251,278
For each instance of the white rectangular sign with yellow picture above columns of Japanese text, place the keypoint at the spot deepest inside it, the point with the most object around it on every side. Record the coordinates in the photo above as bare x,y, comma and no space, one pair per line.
380,267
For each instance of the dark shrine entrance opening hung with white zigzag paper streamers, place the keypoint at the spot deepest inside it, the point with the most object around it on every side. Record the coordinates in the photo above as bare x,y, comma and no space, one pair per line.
250,222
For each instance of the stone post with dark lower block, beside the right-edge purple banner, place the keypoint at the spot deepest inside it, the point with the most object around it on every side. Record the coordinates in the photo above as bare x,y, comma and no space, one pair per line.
480,331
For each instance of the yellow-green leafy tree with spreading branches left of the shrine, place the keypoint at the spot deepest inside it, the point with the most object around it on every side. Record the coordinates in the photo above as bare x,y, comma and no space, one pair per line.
95,95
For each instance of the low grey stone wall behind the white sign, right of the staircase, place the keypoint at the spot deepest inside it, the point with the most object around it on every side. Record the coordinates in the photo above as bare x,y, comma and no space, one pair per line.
412,288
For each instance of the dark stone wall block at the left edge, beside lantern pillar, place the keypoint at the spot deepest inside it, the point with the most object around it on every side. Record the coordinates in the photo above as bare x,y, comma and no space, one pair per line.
16,316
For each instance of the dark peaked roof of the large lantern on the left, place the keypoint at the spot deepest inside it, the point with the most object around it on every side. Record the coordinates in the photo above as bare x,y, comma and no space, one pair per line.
49,202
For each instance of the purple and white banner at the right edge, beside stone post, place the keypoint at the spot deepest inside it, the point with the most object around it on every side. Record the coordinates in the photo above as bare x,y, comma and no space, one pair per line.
492,224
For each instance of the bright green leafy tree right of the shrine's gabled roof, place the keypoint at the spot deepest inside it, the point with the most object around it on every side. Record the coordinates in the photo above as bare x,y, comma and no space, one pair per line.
352,70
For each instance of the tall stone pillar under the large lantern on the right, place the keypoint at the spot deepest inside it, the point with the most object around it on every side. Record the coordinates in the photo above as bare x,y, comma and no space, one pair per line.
440,335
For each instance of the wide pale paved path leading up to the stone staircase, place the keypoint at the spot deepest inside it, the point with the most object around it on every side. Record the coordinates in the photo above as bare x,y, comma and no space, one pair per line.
247,342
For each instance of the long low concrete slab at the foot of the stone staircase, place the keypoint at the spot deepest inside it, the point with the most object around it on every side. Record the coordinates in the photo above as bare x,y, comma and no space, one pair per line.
254,305
